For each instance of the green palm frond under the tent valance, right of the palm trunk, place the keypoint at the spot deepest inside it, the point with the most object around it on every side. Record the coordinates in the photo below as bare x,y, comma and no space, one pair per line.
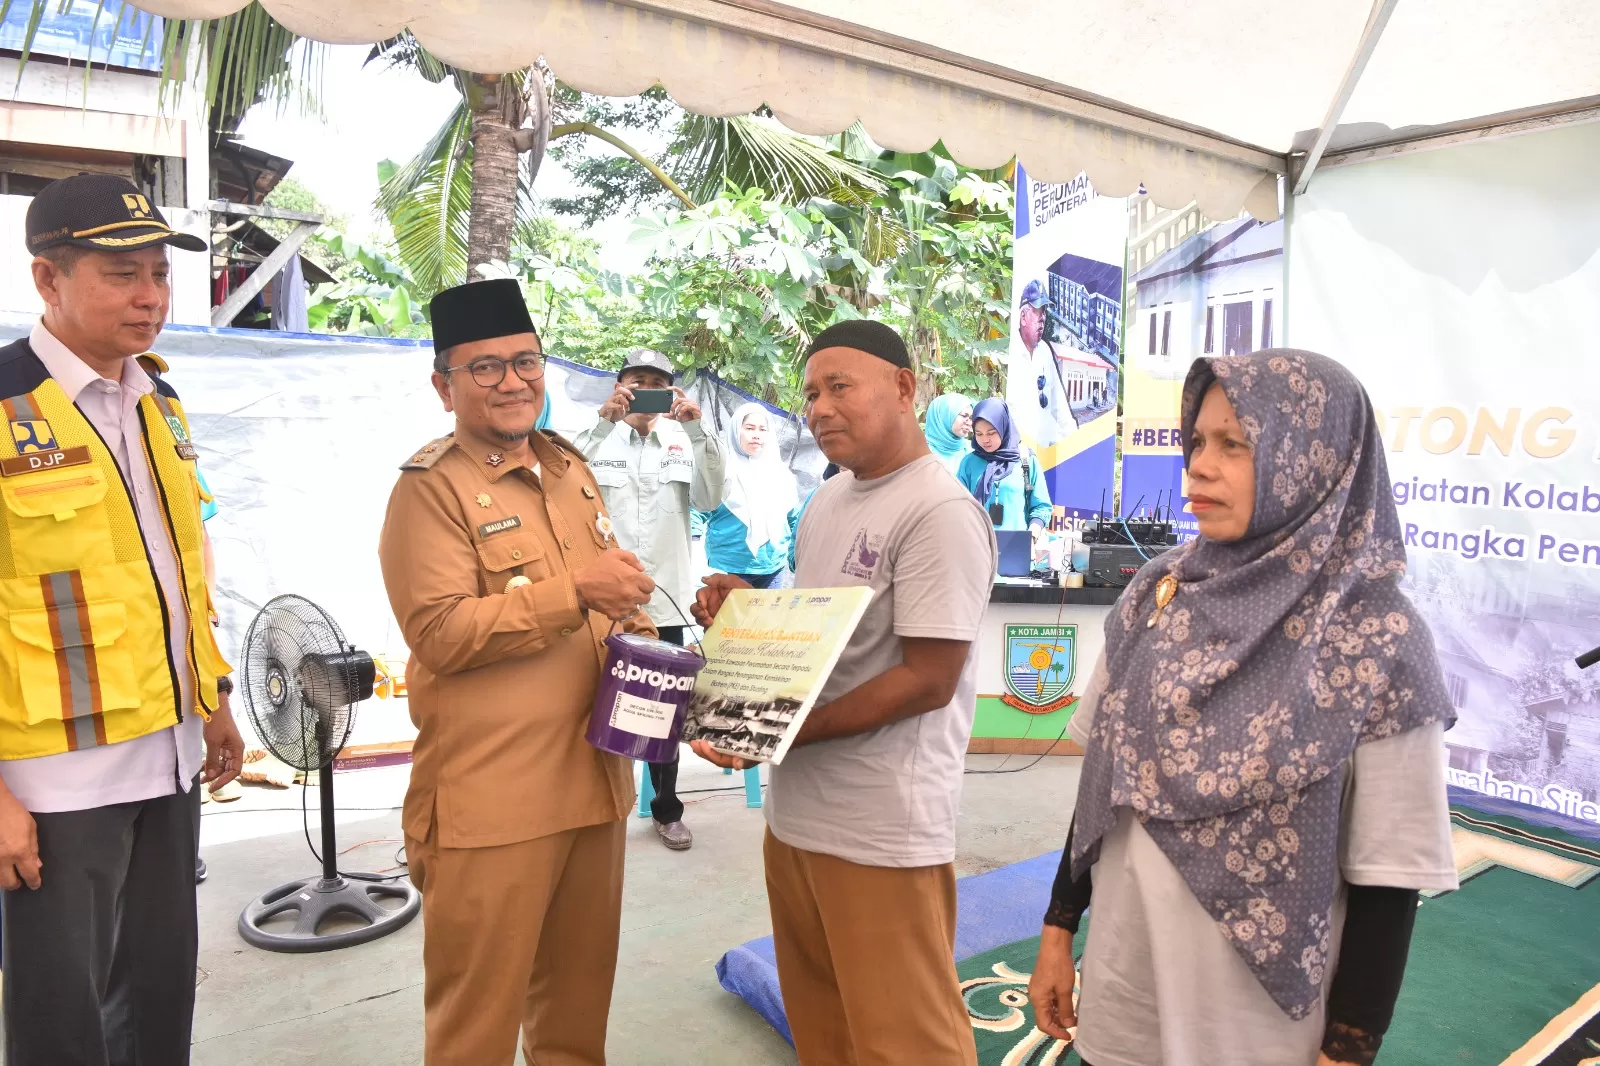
758,153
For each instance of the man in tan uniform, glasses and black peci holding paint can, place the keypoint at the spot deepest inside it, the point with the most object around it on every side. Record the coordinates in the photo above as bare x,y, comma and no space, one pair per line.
505,575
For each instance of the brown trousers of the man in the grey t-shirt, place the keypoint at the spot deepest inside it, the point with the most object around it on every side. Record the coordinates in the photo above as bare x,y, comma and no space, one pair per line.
866,961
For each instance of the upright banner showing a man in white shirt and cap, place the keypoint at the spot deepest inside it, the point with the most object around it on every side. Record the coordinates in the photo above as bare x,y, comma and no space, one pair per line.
1066,335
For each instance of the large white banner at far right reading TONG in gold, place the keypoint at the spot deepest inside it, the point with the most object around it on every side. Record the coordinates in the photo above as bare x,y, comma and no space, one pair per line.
1462,287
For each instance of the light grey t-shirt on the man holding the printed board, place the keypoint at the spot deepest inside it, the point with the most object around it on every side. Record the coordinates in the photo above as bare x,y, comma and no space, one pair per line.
927,550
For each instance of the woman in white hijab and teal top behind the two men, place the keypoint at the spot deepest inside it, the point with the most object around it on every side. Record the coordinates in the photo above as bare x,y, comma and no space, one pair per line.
750,534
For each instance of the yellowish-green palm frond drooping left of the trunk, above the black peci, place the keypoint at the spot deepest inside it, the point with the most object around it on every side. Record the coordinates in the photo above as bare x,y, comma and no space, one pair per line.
430,206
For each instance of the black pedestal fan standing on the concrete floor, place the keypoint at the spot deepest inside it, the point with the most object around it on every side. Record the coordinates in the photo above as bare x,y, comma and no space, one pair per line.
302,683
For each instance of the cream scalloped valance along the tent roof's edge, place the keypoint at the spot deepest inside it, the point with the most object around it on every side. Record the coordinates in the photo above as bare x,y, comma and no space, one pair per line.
620,50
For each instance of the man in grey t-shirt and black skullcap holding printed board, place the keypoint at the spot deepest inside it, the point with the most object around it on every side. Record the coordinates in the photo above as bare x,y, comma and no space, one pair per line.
862,816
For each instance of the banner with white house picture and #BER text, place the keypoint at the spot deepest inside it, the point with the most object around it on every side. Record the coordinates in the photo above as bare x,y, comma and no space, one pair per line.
1198,287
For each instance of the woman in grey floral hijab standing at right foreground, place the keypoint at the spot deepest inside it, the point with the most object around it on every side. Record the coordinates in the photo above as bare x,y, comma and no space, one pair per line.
1263,791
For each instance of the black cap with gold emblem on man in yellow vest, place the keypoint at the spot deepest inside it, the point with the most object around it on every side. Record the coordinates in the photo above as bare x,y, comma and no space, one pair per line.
100,212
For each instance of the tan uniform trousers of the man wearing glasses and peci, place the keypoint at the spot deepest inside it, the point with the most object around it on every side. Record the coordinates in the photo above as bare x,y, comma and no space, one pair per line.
521,936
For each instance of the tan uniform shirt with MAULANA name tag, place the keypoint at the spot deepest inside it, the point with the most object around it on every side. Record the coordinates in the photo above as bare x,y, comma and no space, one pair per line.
500,683
